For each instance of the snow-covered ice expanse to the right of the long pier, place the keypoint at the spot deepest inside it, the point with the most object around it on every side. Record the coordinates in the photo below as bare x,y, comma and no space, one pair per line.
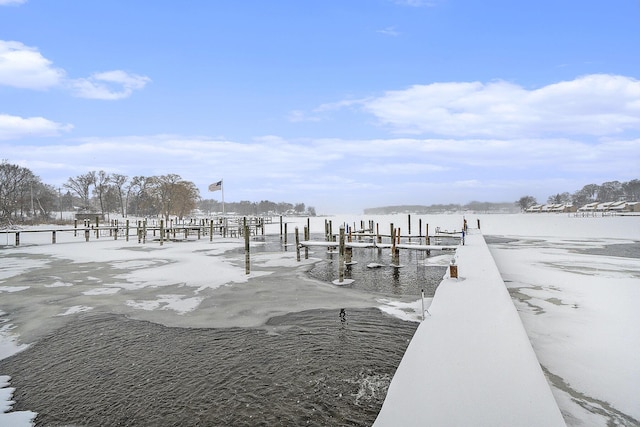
579,310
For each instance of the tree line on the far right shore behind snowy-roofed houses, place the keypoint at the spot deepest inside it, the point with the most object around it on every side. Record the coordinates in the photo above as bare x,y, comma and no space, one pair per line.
611,191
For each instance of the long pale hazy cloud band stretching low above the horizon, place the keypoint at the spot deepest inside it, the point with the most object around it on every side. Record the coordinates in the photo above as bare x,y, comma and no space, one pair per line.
344,175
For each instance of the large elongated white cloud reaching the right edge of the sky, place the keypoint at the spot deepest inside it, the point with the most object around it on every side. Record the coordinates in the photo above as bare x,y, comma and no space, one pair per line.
590,105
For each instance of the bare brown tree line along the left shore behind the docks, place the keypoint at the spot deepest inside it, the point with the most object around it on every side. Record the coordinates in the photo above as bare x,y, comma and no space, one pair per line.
25,198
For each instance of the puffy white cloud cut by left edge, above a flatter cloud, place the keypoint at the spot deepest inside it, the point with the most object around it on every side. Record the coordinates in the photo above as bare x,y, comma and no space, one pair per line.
24,67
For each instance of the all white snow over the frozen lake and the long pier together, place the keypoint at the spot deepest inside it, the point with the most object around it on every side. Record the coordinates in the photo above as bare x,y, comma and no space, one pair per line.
578,310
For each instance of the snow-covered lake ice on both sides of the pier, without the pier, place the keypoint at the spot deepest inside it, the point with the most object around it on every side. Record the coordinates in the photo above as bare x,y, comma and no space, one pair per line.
577,309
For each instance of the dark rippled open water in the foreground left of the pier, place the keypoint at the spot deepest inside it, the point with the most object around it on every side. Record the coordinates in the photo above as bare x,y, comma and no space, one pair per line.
310,368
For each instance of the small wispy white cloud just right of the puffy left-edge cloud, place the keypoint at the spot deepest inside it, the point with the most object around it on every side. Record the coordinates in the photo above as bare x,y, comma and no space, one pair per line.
108,85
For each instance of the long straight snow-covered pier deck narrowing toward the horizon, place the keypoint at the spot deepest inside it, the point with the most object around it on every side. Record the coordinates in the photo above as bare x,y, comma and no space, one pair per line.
470,362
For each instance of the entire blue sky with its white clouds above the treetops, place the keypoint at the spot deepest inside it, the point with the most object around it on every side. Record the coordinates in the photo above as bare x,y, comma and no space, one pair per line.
338,104
